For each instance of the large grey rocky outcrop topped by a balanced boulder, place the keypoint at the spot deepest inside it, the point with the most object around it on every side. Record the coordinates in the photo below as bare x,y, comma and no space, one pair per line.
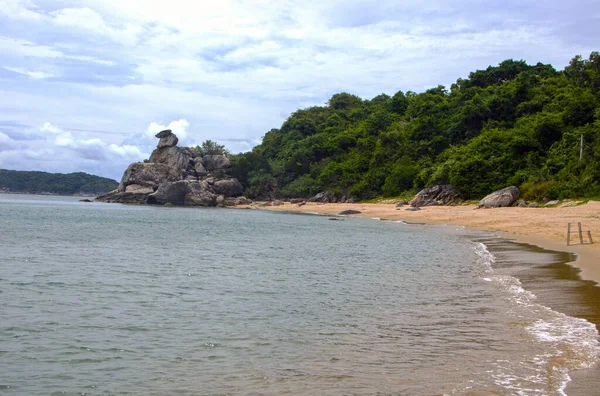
178,176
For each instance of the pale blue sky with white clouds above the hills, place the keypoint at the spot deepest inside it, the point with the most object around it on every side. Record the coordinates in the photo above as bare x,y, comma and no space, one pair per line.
85,84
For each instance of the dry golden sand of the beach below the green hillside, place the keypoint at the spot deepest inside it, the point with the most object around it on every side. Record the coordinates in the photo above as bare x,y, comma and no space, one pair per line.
544,227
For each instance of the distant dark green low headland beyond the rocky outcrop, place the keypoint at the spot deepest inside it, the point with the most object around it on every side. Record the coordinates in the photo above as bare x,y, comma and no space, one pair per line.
55,183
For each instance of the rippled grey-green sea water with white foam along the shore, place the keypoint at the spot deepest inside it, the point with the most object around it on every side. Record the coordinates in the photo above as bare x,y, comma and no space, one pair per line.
114,299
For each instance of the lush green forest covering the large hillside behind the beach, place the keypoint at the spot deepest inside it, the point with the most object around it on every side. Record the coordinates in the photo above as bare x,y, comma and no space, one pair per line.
513,124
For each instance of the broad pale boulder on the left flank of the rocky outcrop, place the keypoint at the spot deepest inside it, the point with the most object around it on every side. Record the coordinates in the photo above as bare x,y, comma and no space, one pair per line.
147,174
